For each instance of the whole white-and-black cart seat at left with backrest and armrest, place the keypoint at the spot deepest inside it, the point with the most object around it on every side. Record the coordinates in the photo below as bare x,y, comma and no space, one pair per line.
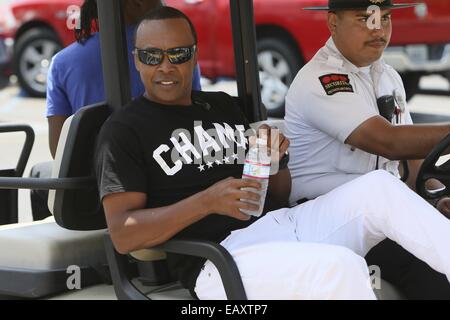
35,257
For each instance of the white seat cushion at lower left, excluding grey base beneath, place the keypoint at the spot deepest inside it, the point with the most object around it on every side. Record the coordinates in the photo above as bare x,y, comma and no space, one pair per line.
45,246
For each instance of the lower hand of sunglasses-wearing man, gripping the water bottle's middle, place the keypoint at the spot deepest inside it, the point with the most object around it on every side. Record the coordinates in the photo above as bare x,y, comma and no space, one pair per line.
225,196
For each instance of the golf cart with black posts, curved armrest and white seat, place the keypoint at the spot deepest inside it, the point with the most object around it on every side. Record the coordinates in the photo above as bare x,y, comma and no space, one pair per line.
70,255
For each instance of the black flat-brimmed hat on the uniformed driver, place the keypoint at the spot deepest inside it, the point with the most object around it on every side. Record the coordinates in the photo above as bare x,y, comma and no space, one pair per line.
360,4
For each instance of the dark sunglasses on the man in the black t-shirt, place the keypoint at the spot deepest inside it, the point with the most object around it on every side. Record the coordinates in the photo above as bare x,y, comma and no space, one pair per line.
155,56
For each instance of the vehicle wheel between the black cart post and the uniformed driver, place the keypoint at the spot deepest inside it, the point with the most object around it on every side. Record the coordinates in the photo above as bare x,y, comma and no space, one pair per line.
278,65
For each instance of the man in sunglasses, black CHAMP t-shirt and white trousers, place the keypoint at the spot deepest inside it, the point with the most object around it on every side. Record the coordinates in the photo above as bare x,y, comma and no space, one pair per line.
169,165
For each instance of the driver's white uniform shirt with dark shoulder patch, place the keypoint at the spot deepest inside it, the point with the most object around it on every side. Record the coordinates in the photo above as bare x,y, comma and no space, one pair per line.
329,98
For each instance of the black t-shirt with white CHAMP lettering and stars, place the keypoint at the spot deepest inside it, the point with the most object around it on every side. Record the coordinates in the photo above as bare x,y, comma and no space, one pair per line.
172,152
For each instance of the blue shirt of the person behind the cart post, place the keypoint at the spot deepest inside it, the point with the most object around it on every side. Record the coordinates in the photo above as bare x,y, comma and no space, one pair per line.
75,78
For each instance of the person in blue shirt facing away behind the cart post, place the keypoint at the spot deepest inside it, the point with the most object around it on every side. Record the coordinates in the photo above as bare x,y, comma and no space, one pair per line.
75,80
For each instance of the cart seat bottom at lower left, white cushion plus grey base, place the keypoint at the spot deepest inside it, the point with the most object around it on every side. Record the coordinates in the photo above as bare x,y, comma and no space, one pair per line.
35,258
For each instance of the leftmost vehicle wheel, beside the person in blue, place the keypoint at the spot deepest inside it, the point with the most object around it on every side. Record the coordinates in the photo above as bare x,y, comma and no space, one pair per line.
32,56
